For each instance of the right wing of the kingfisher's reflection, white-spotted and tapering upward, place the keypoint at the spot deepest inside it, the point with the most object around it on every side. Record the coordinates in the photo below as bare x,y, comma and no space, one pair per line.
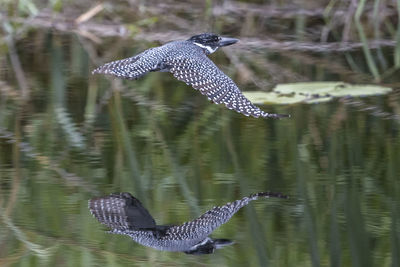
217,216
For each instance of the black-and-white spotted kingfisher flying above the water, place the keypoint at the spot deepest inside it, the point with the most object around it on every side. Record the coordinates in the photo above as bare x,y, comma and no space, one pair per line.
188,62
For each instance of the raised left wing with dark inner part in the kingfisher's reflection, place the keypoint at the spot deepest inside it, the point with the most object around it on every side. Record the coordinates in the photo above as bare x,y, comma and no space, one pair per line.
121,211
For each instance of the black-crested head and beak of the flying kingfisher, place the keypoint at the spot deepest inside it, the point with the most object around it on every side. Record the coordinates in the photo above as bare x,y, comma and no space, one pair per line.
211,42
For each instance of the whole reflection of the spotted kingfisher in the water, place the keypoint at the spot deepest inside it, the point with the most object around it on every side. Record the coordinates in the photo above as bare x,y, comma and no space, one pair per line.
125,215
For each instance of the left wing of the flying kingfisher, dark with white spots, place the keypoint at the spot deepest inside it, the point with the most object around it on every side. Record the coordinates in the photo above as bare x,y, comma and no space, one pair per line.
133,67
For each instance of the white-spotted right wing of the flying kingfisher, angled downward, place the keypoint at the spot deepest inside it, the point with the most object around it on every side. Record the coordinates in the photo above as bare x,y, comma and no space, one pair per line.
203,75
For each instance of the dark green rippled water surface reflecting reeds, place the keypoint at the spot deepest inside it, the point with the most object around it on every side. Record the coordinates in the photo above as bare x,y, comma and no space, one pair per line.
79,136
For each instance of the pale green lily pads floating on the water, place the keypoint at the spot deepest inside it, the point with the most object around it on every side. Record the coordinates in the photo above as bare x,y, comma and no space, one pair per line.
313,92
